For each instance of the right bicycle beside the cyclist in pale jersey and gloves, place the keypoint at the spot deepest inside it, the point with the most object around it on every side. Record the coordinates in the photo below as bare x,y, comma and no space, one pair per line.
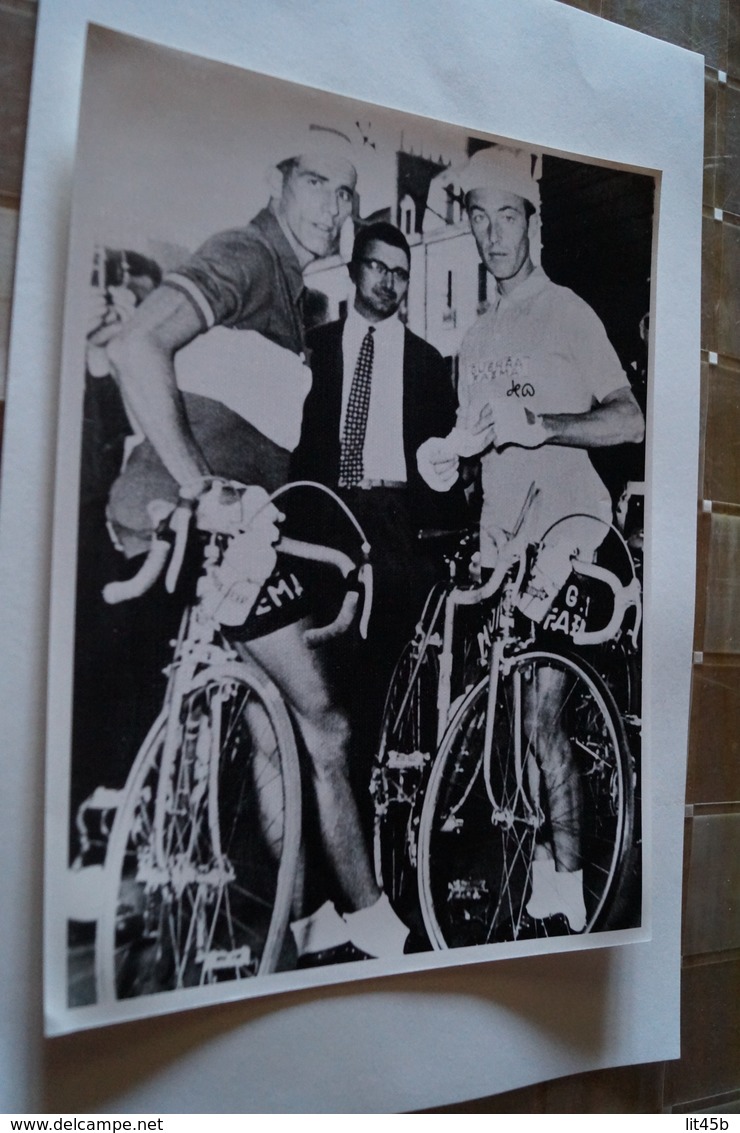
460,812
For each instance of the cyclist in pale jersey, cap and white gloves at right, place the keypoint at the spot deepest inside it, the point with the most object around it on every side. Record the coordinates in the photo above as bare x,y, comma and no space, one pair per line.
540,386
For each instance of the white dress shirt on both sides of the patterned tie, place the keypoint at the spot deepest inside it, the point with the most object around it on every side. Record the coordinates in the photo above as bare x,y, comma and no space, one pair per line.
384,458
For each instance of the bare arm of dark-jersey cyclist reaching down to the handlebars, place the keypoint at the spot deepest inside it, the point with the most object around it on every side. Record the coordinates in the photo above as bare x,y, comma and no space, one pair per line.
143,361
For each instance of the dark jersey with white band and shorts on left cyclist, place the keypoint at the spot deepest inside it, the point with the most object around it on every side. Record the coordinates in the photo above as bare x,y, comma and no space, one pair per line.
244,384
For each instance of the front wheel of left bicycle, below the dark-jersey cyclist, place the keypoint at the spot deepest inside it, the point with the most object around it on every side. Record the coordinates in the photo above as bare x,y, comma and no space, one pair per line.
200,871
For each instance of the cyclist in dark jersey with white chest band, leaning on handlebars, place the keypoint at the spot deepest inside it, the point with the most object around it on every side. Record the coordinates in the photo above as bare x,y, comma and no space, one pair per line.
251,280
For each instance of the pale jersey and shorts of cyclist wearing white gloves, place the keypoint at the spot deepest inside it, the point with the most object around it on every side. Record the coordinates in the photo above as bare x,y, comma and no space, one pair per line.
546,347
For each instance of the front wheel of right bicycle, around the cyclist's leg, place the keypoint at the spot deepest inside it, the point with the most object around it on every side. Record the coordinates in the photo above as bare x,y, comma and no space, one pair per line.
475,858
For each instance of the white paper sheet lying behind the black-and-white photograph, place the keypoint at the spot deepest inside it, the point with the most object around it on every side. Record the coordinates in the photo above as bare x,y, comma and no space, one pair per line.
588,88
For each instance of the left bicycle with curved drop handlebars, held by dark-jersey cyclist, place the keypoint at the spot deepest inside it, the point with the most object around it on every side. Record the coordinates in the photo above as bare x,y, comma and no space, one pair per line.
203,853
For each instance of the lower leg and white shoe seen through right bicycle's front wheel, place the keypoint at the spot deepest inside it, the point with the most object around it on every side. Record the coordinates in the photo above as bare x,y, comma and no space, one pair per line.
557,881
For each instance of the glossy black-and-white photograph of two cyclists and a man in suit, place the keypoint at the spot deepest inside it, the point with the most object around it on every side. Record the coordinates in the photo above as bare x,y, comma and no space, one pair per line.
353,481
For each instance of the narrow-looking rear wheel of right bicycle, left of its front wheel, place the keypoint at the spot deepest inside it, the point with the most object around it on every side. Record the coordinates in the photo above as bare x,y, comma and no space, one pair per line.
406,753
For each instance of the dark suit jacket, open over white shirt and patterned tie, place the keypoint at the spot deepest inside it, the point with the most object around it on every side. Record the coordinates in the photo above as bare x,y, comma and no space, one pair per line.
430,408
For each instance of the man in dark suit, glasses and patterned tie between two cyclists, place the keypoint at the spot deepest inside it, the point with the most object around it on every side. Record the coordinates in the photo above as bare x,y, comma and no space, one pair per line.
363,424
